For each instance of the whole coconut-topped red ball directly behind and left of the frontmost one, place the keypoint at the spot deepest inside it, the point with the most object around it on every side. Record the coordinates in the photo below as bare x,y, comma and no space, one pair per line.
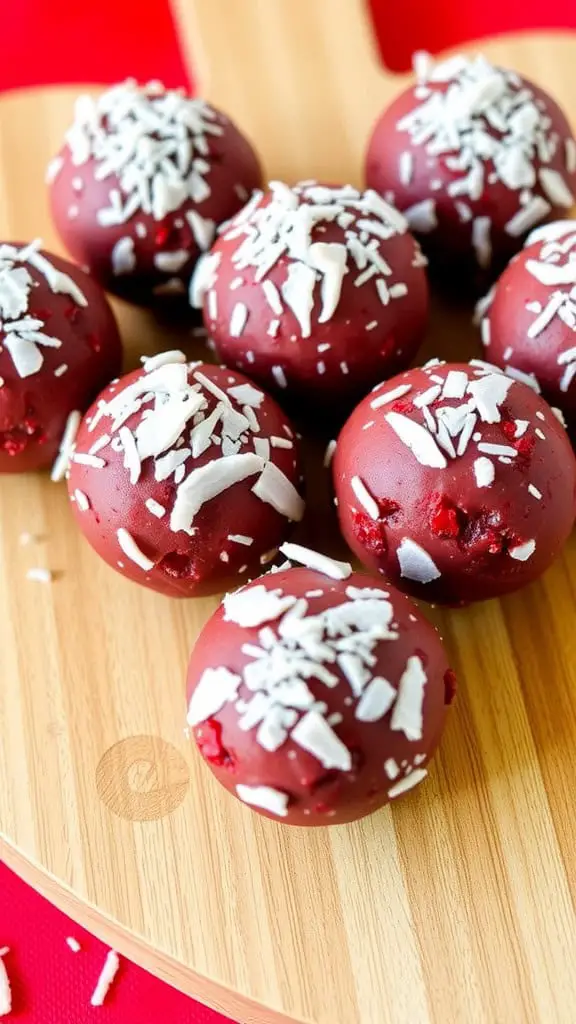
185,476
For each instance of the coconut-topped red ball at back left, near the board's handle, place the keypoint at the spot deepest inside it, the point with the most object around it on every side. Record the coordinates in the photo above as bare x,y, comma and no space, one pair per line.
145,178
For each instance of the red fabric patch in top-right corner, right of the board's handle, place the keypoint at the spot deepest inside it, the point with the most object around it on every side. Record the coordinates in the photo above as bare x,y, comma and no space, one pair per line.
422,25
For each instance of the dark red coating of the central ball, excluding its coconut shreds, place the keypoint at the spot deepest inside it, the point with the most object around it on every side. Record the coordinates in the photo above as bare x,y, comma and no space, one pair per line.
345,357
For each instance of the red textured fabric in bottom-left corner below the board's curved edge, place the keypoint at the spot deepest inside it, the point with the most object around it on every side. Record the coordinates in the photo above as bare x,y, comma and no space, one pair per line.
53,986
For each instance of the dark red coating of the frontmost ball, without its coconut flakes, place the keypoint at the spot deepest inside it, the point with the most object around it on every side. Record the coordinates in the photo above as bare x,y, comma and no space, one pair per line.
318,797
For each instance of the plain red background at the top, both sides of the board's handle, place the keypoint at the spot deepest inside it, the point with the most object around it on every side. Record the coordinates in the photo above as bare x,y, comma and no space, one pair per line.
60,41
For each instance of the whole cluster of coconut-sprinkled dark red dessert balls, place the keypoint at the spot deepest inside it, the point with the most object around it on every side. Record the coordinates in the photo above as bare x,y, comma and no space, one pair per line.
316,694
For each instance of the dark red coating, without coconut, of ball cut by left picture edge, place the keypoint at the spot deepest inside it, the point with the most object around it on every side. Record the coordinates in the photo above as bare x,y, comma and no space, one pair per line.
34,410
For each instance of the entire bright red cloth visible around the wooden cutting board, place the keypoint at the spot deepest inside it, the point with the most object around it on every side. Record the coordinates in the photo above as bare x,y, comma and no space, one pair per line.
47,42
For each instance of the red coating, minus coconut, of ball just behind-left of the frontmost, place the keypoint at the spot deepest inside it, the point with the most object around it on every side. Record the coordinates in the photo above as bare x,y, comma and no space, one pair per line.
185,566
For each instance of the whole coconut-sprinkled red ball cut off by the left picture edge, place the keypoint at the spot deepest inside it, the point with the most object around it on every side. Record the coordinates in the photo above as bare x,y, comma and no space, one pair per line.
59,347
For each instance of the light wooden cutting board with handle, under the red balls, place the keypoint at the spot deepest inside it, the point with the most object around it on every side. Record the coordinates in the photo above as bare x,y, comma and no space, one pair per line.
454,907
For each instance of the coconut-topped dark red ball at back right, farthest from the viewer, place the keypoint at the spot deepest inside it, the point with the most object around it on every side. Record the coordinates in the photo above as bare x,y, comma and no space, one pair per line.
476,157
